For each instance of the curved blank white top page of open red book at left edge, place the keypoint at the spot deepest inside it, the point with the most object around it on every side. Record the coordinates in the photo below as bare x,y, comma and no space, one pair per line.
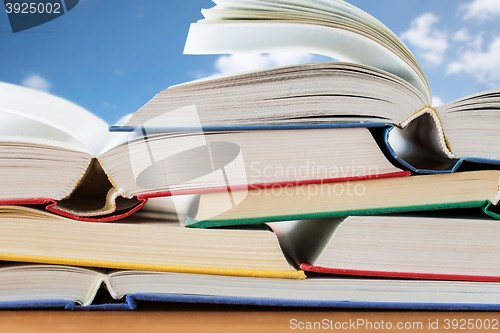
56,112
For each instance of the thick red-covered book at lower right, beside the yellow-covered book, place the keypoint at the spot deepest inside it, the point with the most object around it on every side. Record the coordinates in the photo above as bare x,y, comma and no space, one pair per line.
396,246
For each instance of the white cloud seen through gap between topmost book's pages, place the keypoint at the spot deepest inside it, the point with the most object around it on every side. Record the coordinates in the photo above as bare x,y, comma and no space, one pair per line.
238,63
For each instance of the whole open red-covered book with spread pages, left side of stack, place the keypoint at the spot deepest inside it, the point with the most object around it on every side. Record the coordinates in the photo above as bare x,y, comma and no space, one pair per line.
58,154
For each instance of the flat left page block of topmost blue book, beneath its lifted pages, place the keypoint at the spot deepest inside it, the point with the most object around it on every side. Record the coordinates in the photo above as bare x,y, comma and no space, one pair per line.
318,93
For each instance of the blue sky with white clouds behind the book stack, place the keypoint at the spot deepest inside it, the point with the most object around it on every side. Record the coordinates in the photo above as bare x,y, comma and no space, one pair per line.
111,57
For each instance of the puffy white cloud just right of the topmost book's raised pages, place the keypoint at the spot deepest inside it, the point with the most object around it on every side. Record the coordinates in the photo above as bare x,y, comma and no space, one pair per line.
430,42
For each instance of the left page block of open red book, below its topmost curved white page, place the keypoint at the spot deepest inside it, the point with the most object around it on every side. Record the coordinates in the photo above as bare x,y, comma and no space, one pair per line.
38,160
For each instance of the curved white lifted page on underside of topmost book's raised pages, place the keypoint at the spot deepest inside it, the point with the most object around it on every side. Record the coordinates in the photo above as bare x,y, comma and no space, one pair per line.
223,38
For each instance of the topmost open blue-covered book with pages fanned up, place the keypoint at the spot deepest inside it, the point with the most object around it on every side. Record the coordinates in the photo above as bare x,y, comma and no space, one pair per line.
383,82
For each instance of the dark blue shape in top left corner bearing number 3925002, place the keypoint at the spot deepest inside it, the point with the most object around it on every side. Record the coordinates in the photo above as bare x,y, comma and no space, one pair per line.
26,14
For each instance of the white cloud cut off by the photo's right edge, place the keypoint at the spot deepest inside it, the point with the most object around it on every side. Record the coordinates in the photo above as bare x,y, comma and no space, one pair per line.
483,65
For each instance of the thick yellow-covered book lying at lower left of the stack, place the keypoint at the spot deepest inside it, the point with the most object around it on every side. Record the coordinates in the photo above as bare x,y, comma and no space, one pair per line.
37,236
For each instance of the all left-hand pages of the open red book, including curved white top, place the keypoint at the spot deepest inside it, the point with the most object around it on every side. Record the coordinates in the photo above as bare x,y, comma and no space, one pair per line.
47,144
